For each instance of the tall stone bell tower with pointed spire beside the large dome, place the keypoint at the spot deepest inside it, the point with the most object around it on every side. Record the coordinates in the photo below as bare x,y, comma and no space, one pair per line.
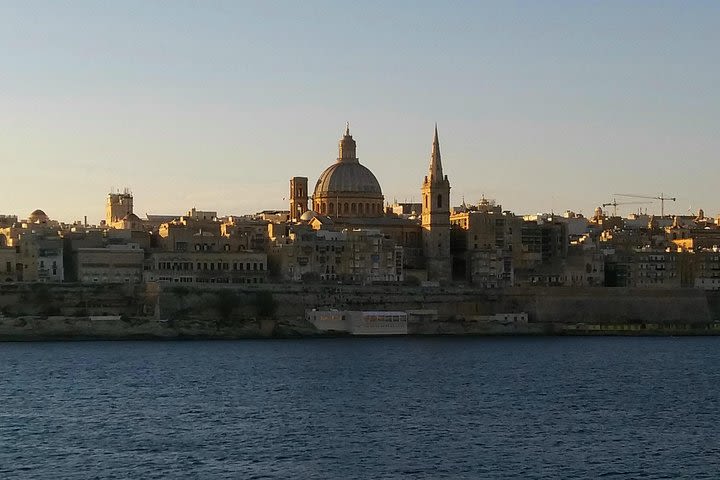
436,218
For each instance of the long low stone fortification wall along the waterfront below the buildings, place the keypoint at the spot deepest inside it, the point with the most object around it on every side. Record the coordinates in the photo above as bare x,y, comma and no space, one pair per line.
29,311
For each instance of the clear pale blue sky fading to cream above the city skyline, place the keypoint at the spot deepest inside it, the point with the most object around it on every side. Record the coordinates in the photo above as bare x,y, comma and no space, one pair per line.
543,105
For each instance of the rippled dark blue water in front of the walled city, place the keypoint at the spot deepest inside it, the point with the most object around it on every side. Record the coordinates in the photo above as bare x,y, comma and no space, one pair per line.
362,408
